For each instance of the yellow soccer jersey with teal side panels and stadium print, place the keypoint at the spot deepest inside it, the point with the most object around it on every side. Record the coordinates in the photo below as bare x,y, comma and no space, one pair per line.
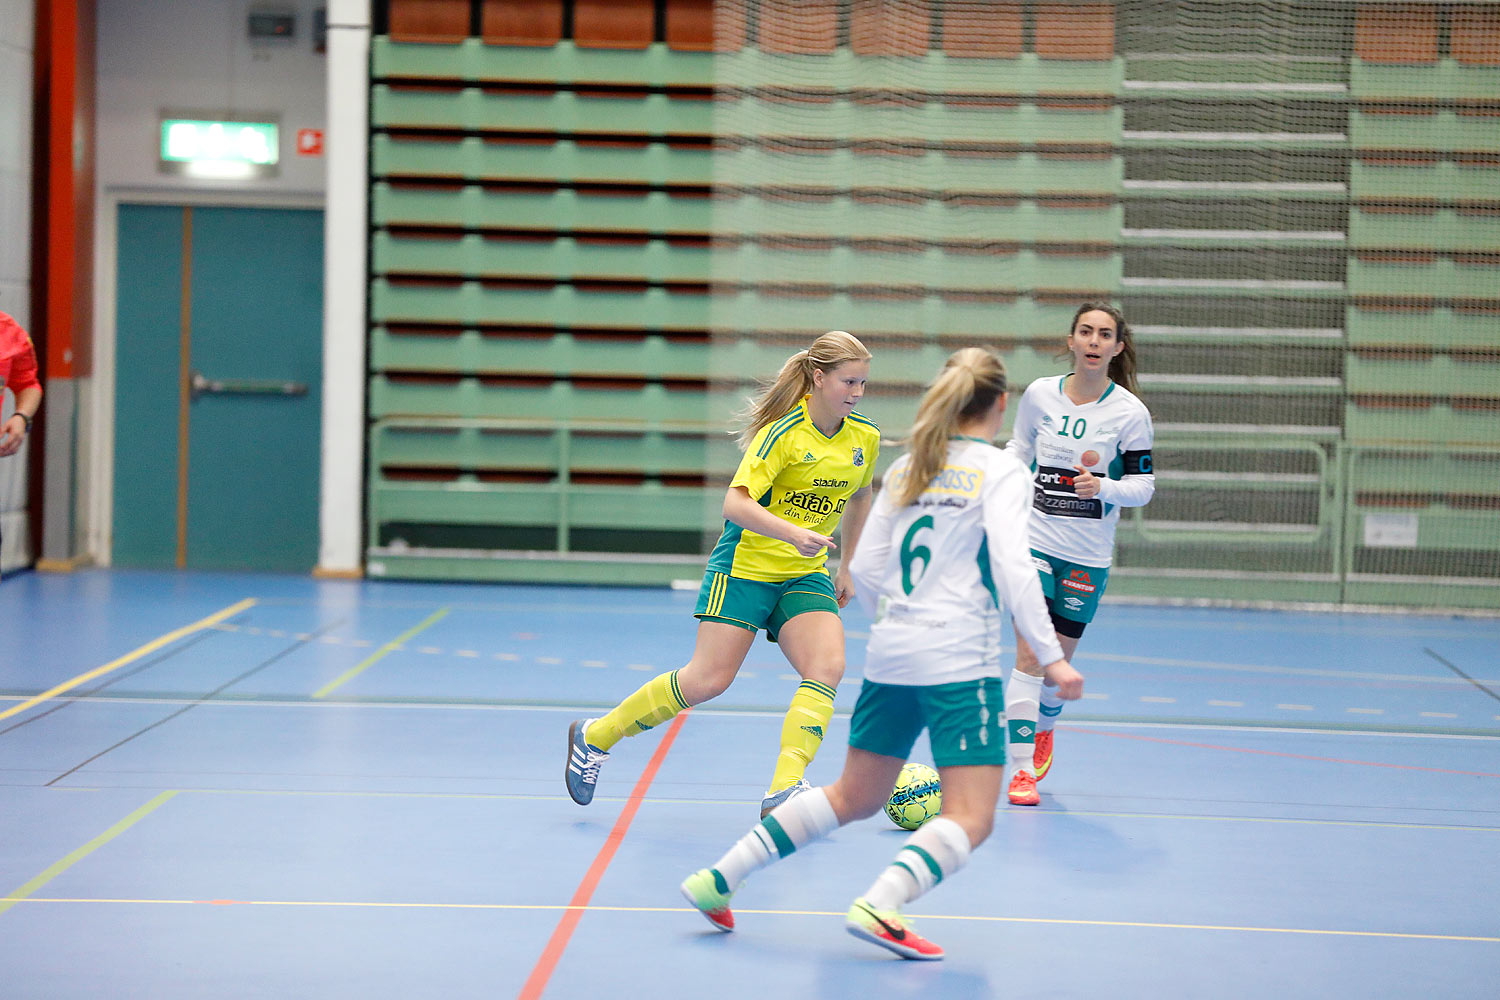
802,476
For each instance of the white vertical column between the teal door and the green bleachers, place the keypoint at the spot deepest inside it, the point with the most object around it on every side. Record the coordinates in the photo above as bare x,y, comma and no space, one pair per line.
344,290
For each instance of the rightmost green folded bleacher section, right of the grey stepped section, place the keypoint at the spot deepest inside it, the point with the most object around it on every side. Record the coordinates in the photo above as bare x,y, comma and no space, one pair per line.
1424,319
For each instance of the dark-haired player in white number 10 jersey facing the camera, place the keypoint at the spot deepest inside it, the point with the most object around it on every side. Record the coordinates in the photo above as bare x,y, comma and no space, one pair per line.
1088,437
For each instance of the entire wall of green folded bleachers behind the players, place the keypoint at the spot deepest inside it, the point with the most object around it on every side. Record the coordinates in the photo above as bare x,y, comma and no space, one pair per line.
593,235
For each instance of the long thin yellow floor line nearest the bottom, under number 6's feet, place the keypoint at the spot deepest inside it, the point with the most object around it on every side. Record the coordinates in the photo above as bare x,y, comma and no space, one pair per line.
664,909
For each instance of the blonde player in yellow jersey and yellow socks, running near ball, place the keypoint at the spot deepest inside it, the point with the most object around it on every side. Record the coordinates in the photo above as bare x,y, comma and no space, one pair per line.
808,467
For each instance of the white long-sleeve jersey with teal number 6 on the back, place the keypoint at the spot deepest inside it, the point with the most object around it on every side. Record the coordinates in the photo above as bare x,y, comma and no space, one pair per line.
938,573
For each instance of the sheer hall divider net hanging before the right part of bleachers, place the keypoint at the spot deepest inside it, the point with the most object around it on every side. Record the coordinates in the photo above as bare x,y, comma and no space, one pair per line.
1295,205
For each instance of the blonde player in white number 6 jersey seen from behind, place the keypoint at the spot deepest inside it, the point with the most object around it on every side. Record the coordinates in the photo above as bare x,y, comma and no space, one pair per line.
943,552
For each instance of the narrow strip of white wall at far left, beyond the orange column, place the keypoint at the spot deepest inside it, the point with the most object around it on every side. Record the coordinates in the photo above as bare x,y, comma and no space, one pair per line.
17,40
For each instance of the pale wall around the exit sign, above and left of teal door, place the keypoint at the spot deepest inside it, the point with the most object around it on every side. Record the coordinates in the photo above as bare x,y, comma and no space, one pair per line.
185,58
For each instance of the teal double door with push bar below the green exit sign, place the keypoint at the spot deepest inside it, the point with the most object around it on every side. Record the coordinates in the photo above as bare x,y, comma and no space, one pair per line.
218,388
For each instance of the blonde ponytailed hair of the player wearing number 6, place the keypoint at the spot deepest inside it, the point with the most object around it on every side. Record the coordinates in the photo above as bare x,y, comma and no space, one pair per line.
968,385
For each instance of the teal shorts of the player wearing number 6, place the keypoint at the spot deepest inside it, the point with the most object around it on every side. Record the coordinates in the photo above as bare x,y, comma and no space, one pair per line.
965,720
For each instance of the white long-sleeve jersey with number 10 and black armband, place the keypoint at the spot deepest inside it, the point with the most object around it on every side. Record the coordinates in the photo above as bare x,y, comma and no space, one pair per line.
1111,437
